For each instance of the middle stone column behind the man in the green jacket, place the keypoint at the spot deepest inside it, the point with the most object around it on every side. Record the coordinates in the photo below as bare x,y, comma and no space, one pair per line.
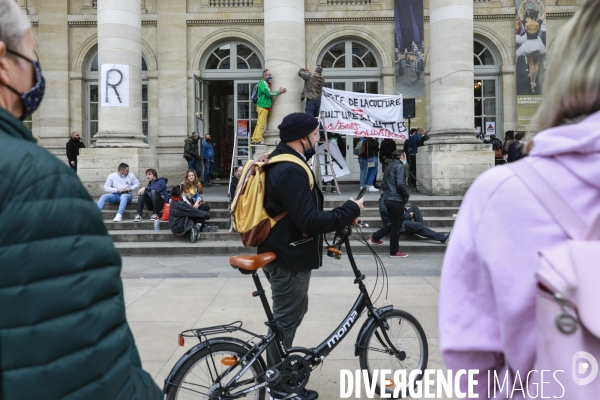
284,56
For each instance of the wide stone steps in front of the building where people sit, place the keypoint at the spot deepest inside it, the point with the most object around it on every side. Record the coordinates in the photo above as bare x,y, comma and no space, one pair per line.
140,239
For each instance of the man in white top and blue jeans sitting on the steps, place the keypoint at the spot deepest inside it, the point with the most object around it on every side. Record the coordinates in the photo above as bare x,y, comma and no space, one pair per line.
119,186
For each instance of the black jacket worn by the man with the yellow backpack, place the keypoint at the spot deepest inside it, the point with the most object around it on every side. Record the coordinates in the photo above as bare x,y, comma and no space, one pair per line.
287,189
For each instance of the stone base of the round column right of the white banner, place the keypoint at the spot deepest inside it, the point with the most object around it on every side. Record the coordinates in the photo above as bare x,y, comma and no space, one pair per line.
449,169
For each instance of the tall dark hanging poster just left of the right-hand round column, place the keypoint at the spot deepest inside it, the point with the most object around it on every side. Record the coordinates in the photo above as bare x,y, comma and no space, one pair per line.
410,55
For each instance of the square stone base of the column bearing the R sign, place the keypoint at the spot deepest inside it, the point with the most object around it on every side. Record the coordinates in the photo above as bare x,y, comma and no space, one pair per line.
95,164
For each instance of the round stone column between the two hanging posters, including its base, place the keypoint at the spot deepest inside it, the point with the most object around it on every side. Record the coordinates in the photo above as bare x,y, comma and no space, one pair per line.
453,157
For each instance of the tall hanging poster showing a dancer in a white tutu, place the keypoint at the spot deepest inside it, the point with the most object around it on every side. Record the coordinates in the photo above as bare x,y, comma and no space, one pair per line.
530,35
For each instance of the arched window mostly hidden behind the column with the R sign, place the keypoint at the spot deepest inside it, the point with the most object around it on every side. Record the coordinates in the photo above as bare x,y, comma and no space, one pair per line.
93,93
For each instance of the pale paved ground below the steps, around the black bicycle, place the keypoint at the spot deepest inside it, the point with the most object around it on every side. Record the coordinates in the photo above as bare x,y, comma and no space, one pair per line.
166,295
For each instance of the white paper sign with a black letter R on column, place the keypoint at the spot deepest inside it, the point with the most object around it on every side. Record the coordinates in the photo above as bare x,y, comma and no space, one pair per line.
114,85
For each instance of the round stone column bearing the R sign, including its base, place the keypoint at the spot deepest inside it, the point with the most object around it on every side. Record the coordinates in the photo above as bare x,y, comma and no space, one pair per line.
120,137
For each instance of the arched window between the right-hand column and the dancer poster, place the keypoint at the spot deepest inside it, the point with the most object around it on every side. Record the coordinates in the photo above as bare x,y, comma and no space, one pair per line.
485,88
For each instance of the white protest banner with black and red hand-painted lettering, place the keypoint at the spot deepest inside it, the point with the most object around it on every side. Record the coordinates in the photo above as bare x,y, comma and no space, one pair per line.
363,114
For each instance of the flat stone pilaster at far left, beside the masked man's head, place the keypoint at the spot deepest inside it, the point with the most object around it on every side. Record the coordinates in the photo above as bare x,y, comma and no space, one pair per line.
51,124
